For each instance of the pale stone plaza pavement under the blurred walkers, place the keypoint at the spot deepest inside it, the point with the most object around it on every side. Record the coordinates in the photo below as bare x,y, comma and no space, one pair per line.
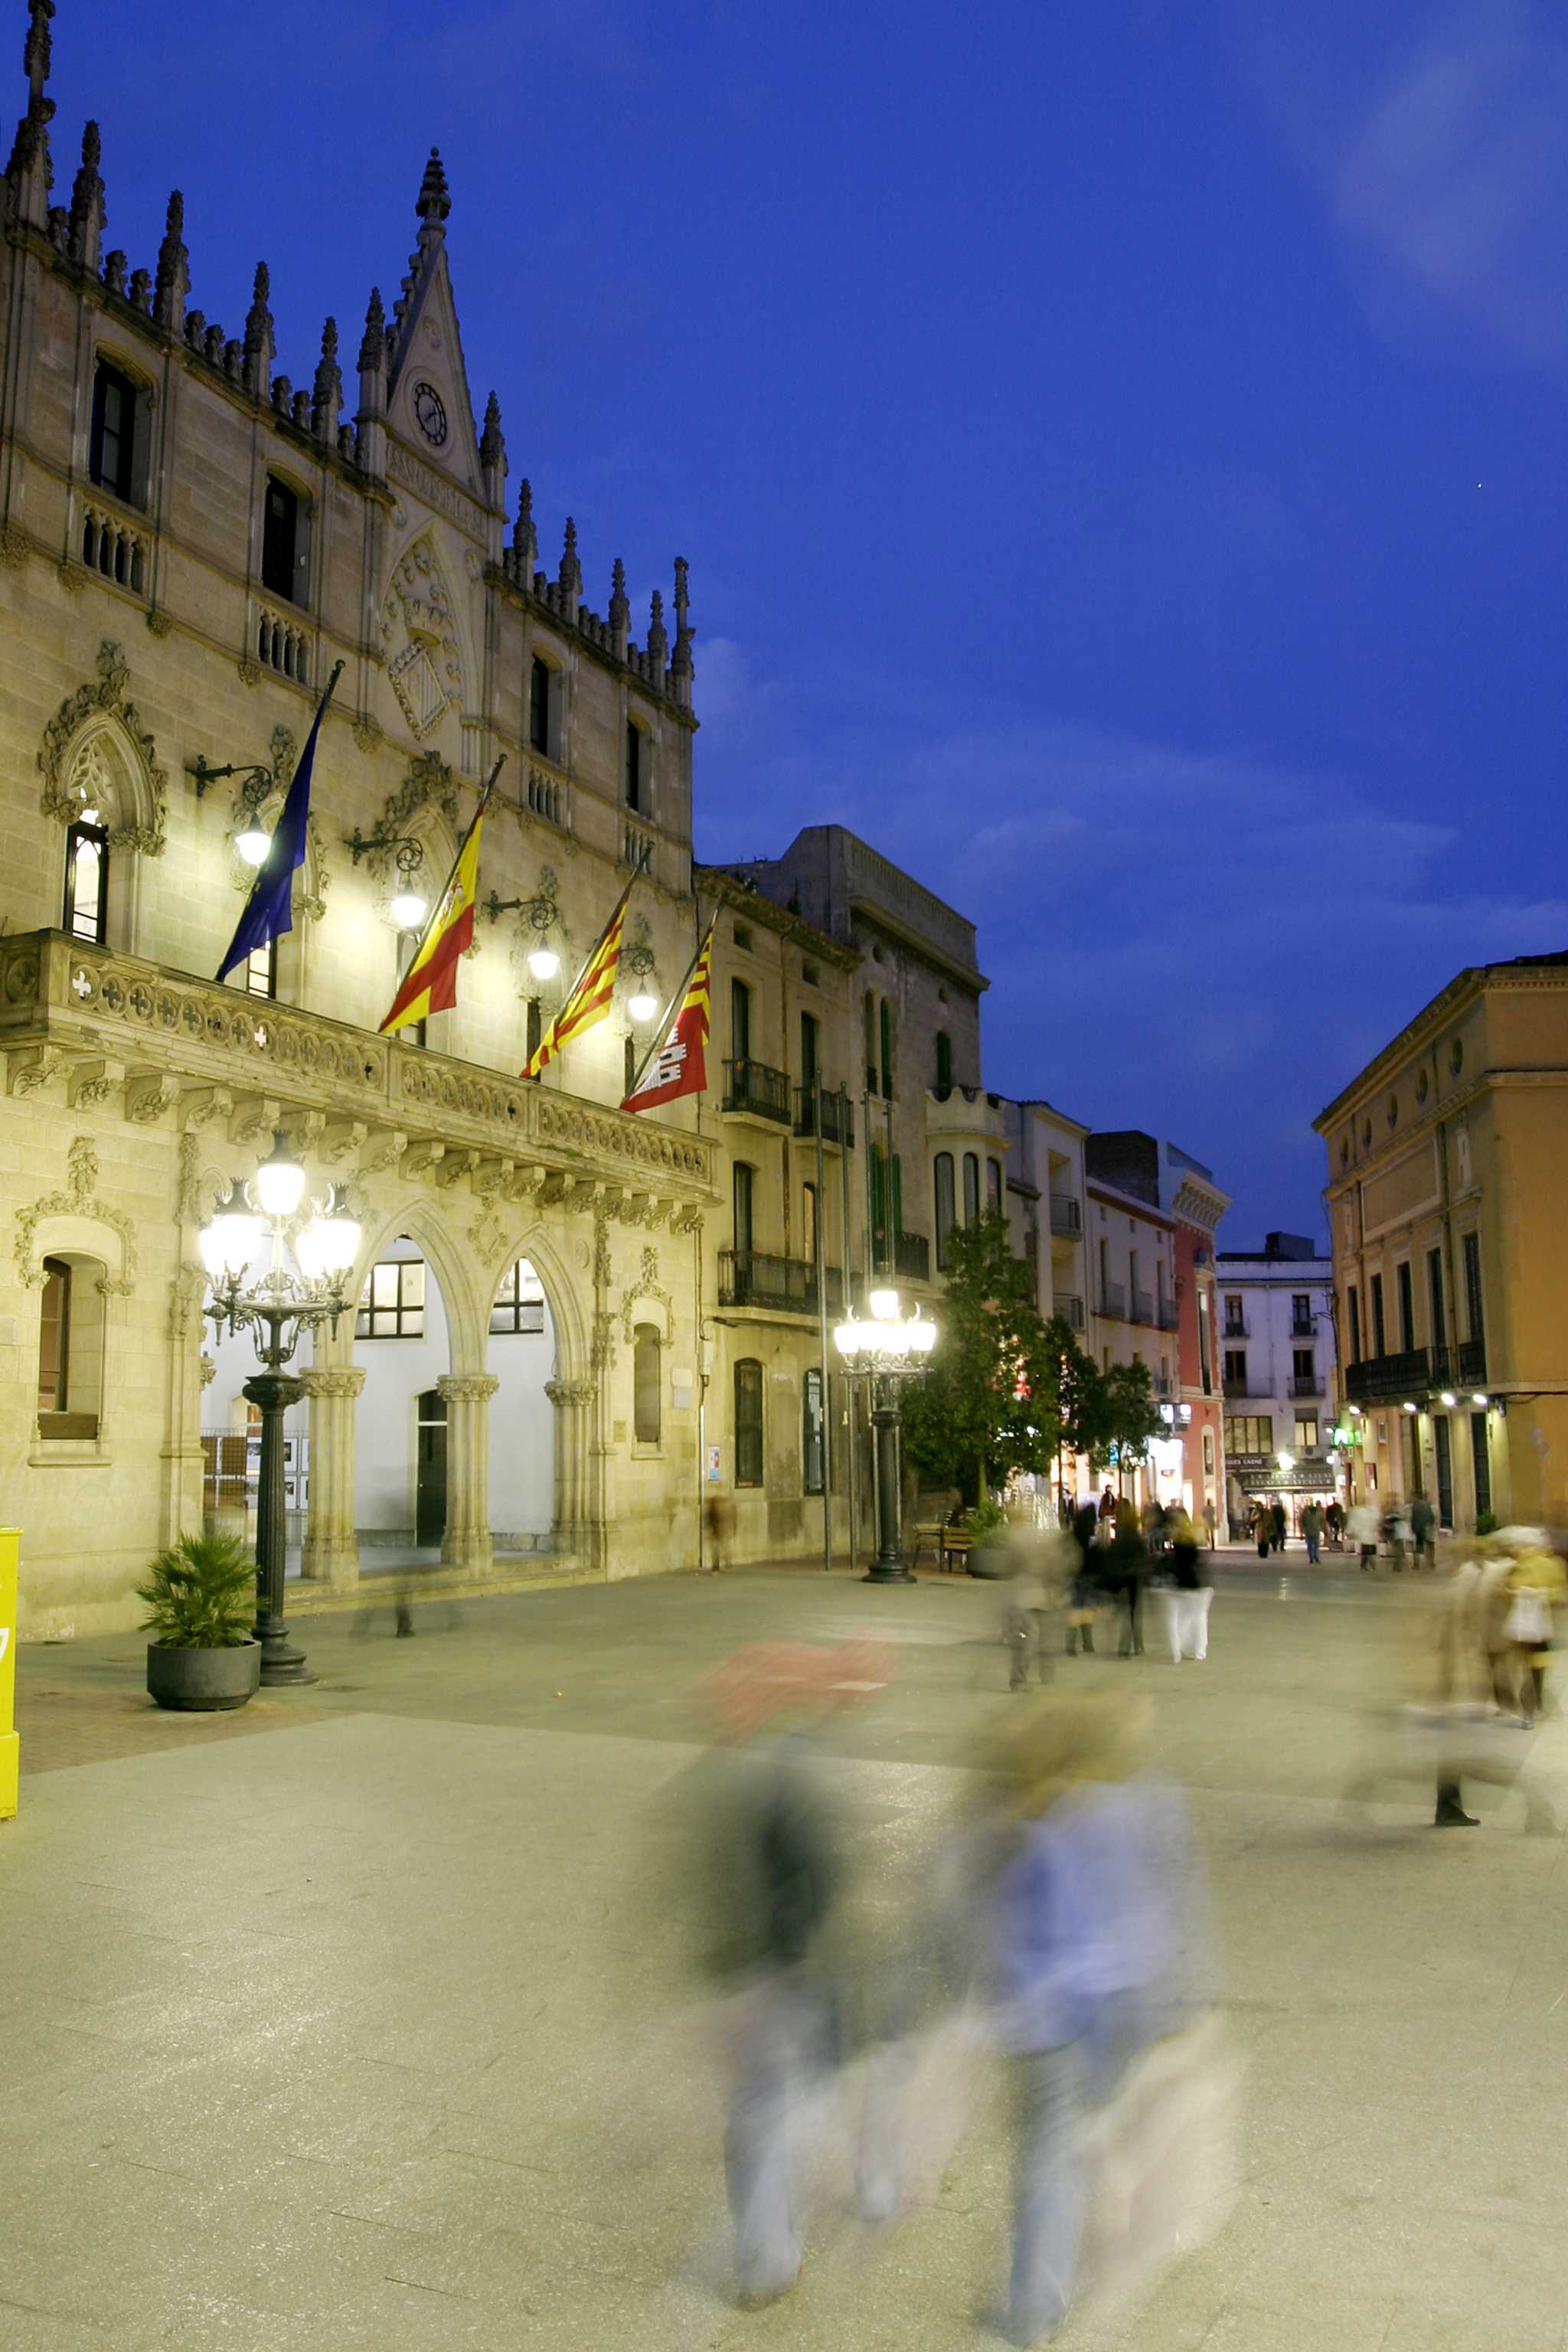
356,2022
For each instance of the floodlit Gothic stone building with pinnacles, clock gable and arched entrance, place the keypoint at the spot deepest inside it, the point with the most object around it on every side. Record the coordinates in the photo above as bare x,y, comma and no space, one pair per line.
189,547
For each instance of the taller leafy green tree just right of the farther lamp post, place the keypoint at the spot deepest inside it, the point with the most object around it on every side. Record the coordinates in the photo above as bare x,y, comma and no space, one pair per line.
991,1398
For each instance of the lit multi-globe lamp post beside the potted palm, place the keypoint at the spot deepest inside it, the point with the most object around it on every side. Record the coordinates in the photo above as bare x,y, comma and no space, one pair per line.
283,1304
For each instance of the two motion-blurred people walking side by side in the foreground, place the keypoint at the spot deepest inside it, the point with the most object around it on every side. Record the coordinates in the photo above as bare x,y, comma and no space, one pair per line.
1061,1925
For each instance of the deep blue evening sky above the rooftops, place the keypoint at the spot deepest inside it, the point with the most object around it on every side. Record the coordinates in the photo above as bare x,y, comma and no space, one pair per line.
1118,448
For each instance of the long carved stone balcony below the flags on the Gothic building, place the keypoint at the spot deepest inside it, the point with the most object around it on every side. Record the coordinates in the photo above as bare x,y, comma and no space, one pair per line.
102,1024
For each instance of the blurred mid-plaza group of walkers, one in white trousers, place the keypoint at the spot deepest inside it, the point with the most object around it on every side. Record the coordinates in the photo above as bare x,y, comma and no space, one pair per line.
1101,1565
